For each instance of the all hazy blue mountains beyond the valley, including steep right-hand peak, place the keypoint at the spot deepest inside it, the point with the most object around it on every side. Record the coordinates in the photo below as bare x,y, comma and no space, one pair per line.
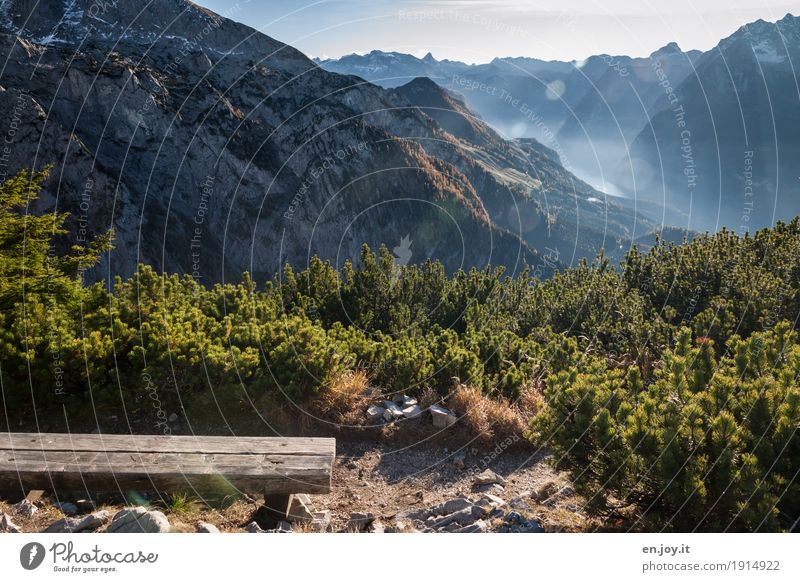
700,140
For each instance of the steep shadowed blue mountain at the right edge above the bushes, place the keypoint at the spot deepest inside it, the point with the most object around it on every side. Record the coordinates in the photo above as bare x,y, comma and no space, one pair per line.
727,146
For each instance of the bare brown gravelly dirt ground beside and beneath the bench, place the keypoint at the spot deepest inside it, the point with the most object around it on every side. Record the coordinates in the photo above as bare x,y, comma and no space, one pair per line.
388,479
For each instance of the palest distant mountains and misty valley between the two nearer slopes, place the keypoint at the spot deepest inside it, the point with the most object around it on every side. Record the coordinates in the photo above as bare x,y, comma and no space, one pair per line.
587,111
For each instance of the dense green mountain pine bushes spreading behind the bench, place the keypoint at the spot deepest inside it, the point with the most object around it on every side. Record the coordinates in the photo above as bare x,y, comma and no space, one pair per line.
671,381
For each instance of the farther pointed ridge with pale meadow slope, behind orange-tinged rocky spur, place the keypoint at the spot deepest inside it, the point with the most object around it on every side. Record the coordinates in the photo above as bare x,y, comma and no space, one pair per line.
551,209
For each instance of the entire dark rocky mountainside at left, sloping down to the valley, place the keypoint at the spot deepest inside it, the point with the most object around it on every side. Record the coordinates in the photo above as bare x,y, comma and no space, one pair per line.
212,148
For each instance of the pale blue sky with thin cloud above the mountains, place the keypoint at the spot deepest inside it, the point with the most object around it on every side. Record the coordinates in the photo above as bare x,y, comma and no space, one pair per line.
479,30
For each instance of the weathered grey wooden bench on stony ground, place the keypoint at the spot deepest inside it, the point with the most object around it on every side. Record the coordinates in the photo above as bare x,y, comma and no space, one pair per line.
196,465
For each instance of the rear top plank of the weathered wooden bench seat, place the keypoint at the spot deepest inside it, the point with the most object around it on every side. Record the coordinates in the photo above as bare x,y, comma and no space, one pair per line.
165,443
